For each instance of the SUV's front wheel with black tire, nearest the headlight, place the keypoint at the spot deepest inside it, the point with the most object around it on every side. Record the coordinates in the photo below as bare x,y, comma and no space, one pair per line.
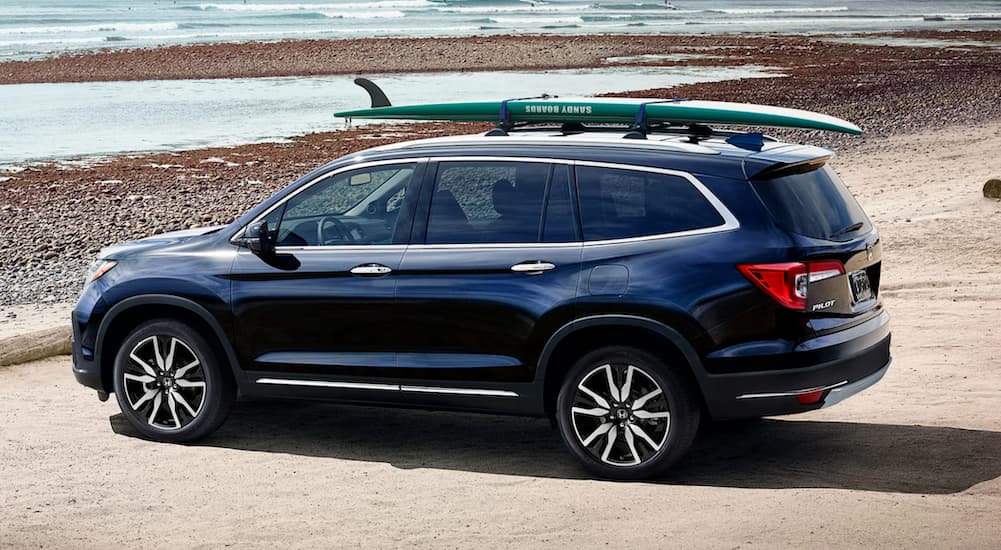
171,384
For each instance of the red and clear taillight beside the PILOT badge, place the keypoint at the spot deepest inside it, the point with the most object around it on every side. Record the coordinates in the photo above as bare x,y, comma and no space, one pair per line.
789,283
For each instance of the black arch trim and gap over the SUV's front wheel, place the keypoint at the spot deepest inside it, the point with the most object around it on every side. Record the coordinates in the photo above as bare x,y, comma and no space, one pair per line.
125,316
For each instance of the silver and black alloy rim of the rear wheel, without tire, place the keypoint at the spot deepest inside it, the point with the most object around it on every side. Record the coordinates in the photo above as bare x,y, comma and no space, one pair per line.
621,415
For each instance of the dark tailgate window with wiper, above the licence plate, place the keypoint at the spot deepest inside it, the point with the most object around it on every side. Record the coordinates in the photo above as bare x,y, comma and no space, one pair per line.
815,204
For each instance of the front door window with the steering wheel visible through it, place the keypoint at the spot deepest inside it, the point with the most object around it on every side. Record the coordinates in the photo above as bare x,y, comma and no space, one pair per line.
355,208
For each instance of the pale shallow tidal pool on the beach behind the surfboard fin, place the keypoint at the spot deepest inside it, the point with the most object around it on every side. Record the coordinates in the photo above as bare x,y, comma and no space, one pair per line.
86,120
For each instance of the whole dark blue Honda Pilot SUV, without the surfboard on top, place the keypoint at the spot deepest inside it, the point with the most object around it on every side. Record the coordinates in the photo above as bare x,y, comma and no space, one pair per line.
625,288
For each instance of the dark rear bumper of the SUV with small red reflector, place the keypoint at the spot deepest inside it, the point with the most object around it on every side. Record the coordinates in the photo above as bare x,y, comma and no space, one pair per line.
836,366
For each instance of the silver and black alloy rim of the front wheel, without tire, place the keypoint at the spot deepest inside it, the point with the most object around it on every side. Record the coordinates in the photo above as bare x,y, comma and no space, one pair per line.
165,382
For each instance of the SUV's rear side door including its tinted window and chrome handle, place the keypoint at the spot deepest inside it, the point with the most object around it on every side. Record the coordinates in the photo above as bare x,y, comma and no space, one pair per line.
492,272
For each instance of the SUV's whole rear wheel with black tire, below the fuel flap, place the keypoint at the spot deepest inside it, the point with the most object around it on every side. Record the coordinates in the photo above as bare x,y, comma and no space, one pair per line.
643,446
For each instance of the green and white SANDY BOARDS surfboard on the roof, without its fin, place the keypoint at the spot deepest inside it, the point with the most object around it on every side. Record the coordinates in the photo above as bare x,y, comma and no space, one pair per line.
612,112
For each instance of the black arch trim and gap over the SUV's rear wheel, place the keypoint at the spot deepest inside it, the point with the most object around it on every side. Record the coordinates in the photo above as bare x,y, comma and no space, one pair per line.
584,335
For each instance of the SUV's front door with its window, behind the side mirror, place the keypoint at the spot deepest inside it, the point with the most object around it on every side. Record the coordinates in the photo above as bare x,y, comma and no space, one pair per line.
325,305
